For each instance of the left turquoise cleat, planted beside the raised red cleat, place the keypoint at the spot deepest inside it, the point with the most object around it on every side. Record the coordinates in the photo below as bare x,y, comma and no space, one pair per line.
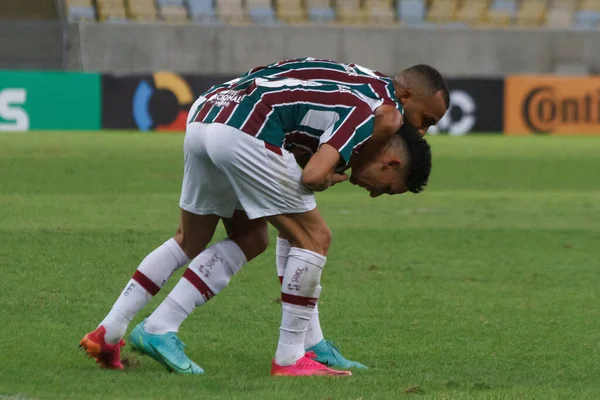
167,349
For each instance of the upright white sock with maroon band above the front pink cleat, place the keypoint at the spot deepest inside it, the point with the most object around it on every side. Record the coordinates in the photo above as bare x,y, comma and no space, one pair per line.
299,295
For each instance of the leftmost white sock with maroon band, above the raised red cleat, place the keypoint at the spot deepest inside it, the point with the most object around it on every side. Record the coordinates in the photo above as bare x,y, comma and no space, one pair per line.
147,280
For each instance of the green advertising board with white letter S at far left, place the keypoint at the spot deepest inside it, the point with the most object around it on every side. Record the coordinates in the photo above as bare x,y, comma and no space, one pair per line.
49,100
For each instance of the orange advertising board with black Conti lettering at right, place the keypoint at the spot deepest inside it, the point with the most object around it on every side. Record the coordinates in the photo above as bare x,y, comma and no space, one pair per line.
552,105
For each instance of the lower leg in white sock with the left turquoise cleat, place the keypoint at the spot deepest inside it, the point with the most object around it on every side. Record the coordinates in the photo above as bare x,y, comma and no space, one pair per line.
208,274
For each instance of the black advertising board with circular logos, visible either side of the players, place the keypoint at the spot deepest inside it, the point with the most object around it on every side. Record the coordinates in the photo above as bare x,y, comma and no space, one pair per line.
161,102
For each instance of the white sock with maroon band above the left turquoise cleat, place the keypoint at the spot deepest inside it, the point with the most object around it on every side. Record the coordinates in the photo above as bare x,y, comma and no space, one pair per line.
207,274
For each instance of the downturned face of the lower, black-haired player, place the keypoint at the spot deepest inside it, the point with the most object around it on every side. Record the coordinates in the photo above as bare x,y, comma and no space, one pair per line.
385,175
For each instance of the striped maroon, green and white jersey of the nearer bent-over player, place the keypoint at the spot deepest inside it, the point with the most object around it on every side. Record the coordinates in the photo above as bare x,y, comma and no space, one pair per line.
291,113
